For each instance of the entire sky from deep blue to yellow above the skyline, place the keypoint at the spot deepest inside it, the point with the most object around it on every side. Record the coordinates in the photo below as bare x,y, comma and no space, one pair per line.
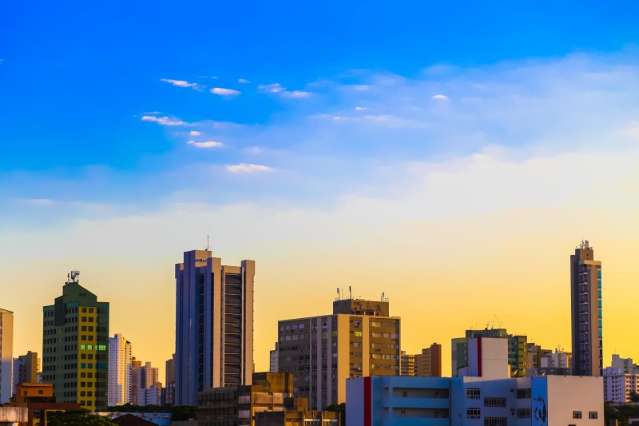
448,155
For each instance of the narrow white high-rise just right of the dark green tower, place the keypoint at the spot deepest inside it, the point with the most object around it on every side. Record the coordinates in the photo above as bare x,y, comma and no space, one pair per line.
119,370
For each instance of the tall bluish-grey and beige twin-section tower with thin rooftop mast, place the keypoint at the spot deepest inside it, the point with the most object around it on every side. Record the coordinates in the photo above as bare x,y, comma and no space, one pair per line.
214,324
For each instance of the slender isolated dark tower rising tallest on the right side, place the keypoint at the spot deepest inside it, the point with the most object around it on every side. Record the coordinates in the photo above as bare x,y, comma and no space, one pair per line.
586,302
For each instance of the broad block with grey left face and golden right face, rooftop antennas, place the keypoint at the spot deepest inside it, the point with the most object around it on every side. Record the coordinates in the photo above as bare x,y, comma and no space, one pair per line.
360,338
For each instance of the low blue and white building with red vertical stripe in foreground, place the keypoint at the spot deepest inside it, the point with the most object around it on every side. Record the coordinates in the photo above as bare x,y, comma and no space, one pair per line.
475,401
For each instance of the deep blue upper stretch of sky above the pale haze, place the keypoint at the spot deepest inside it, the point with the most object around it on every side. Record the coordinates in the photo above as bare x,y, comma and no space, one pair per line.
75,76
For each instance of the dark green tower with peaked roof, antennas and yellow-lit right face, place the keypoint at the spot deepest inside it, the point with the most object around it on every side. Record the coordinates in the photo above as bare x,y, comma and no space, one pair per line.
75,346
